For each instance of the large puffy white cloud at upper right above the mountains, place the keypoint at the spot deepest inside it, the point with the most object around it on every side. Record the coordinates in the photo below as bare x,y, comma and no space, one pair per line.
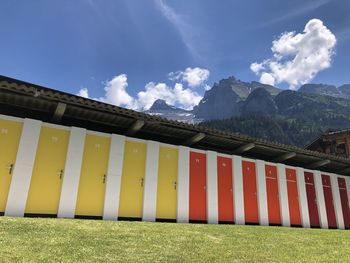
297,58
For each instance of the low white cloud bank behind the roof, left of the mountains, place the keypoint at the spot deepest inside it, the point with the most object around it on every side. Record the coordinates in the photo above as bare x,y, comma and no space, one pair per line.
116,93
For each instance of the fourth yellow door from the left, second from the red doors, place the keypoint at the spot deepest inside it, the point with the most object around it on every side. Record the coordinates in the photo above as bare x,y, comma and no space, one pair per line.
131,193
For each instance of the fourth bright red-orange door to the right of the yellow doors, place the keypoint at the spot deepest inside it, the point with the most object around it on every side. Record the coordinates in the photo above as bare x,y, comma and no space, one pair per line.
273,203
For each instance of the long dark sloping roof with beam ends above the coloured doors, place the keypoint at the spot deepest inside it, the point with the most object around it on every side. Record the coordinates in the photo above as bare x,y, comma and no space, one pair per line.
26,100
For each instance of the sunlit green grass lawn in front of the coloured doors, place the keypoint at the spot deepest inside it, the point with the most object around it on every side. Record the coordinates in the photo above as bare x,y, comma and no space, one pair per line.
64,240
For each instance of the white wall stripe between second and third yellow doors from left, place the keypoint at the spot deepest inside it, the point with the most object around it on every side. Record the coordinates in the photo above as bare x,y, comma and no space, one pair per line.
71,176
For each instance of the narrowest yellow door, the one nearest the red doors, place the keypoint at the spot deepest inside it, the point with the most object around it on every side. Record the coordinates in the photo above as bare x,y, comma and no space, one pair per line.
167,180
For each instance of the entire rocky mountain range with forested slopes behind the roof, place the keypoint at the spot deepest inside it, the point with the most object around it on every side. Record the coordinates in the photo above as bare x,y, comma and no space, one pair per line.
255,109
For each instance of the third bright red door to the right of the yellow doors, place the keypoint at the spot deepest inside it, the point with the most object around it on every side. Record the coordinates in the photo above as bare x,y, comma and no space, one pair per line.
250,193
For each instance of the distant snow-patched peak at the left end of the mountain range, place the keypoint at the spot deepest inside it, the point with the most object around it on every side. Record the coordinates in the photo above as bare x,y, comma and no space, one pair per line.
162,109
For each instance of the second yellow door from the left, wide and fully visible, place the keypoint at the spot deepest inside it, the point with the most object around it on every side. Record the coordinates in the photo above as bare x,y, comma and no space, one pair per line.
45,185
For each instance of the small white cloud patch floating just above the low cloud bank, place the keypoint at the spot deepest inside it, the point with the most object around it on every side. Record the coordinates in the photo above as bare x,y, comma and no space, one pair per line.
192,76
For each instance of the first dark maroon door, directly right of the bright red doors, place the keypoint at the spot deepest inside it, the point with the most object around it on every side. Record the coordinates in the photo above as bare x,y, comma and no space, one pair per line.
311,199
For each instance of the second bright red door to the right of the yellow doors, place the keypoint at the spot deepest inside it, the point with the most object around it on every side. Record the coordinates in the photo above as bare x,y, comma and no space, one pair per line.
225,190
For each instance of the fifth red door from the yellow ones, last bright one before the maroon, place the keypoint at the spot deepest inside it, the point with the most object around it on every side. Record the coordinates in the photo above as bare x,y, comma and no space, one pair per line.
293,199
